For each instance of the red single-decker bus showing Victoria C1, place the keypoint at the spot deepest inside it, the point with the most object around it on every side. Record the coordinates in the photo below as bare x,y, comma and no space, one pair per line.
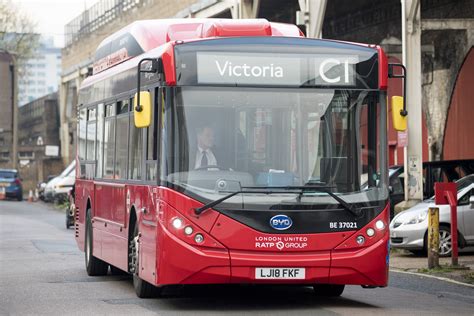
243,161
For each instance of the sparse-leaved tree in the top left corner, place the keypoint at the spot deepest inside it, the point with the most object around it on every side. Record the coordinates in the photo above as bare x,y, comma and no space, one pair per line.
17,31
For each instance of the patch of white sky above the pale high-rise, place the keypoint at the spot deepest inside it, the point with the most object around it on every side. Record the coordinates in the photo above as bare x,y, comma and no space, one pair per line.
50,16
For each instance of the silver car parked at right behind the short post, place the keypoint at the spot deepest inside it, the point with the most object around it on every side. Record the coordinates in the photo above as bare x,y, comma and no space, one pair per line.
408,229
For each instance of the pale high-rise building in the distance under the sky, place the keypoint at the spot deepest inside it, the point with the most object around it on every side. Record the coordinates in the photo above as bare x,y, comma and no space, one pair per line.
41,73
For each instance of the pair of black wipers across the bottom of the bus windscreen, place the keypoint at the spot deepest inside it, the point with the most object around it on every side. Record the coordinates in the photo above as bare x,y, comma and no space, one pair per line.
281,189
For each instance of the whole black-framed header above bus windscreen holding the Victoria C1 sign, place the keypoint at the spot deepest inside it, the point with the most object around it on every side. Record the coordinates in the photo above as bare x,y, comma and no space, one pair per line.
277,62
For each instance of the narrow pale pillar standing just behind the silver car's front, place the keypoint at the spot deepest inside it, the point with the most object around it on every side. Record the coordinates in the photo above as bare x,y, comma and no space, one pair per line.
411,41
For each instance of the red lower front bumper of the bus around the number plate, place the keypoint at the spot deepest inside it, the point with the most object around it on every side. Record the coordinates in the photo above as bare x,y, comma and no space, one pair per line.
181,263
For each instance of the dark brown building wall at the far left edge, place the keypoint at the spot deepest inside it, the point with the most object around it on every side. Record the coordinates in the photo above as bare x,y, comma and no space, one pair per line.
8,110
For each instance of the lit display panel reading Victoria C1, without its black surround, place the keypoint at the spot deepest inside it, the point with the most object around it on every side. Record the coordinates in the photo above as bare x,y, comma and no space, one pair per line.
278,69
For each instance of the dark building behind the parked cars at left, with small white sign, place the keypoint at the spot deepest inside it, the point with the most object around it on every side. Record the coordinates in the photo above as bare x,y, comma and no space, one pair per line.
38,141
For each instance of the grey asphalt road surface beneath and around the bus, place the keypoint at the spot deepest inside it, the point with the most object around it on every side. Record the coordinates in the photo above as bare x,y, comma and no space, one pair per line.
42,273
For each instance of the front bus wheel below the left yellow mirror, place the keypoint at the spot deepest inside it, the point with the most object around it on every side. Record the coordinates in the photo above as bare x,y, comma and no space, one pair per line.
142,288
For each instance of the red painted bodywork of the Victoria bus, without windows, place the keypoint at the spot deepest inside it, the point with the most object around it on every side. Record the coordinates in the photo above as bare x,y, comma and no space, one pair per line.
231,250
